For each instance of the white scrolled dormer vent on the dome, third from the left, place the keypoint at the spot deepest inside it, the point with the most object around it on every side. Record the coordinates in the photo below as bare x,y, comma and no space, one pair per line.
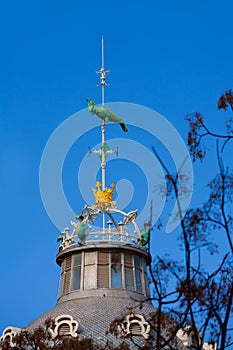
134,324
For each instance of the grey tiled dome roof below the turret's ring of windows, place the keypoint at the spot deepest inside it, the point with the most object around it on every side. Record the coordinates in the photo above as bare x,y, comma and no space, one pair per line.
95,312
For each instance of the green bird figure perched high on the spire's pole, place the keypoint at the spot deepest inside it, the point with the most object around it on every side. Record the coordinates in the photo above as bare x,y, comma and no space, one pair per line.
105,114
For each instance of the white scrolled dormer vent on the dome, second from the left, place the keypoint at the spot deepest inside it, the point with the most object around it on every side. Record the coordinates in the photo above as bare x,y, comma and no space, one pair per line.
64,325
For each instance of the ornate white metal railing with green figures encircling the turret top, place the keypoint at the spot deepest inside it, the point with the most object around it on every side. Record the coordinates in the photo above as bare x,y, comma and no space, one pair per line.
123,232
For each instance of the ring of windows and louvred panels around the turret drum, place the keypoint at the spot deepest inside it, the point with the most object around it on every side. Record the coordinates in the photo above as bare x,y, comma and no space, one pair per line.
103,269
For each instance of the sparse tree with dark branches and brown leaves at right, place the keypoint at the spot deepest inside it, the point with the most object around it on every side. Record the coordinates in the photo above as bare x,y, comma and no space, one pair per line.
188,292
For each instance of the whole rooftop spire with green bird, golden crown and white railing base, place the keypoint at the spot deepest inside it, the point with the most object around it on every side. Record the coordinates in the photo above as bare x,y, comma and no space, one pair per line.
127,230
